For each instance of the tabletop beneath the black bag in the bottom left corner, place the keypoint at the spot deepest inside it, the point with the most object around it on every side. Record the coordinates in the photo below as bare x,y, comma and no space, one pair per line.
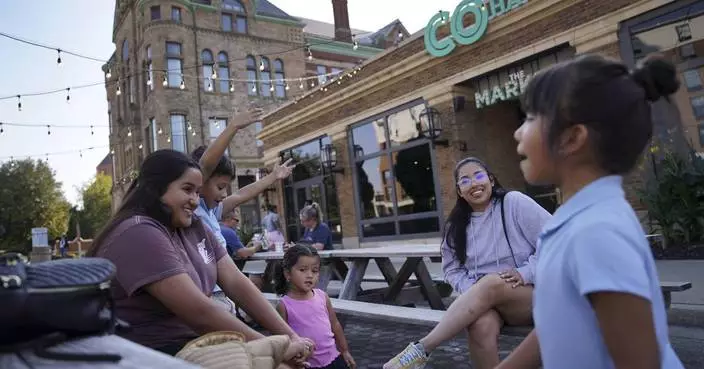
133,356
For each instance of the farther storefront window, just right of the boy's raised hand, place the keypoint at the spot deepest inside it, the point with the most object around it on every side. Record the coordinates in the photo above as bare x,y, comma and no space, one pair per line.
310,182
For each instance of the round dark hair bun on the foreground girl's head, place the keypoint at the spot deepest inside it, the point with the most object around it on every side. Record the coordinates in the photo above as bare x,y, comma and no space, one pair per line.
657,76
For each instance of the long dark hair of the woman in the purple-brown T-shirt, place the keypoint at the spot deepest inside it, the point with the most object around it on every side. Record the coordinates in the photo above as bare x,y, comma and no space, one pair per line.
143,197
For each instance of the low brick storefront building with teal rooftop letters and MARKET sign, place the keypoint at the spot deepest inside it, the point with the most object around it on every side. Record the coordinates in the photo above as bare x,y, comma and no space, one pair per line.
392,176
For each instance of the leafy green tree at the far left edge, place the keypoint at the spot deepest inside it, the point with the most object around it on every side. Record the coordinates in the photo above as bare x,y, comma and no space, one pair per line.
30,197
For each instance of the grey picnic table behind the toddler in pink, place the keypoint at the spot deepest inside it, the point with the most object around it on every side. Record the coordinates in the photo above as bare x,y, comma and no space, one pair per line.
334,265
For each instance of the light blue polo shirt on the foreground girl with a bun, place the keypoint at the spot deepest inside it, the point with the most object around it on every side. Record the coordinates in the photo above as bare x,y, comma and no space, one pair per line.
593,243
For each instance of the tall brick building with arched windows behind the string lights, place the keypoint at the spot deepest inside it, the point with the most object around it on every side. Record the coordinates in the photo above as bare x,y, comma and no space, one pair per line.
181,67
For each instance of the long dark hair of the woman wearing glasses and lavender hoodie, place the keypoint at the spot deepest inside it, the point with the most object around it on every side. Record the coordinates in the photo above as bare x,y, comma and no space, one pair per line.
455,230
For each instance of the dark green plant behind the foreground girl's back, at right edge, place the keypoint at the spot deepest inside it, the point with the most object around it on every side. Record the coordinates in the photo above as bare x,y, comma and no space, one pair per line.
675,199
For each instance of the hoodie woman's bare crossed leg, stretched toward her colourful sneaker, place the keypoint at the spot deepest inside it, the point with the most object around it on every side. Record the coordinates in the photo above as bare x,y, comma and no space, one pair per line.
482,296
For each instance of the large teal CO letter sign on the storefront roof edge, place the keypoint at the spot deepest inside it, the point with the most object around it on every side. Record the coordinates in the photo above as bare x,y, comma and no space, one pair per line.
459,33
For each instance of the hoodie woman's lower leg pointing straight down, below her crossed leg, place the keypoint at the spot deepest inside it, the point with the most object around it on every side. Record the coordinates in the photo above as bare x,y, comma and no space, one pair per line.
483,340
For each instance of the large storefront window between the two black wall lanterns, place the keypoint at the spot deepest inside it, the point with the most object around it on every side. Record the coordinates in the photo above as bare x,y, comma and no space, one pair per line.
395,176
